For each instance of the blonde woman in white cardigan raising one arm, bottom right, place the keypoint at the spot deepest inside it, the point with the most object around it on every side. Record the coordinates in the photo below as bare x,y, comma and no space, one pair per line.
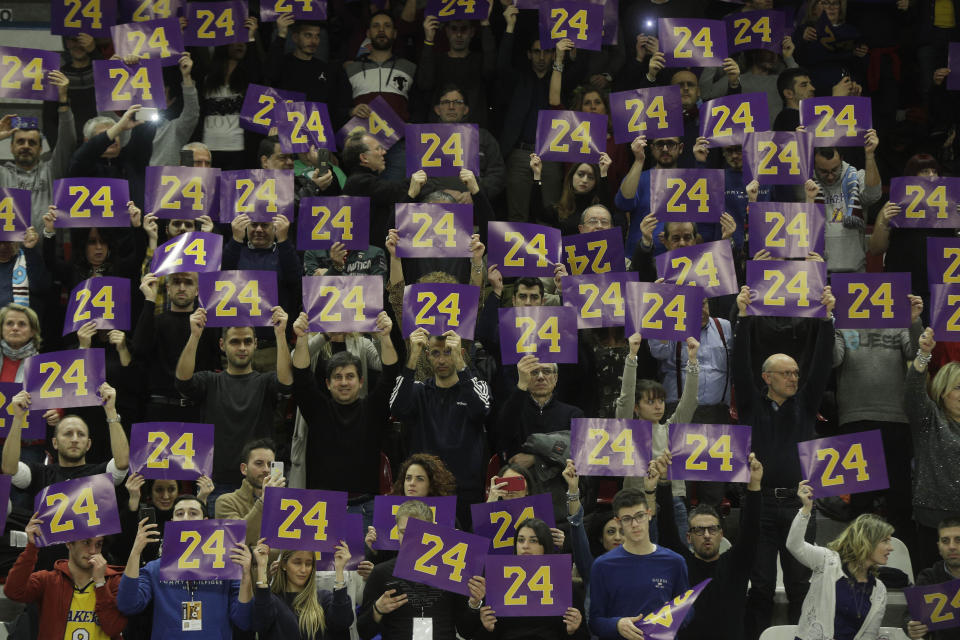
845,600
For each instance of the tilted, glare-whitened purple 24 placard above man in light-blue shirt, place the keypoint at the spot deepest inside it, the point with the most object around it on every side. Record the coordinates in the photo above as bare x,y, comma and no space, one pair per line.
708,265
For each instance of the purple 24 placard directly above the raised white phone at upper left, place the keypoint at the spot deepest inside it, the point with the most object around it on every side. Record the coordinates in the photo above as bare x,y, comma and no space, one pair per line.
119,86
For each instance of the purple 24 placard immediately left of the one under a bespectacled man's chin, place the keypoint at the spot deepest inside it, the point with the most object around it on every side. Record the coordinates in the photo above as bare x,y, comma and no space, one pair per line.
523,249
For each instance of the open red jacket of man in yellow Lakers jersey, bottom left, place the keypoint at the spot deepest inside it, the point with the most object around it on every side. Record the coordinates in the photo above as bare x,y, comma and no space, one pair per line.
54,590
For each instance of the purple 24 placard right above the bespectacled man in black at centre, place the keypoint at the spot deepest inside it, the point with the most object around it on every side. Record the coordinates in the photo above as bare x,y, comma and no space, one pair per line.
550,333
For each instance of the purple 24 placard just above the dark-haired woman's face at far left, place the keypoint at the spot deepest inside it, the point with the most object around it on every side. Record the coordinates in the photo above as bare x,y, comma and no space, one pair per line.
91,202
